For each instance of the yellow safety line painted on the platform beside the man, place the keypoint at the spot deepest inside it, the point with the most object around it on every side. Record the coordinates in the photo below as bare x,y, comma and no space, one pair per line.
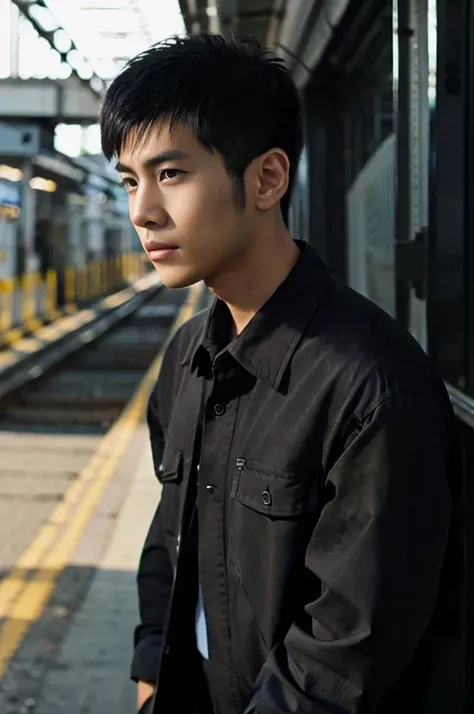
22,601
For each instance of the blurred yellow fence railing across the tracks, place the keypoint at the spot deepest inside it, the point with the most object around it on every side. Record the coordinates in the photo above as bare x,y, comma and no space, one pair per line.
34,299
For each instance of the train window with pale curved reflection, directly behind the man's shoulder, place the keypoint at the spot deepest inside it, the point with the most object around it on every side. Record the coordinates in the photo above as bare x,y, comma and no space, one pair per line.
370,156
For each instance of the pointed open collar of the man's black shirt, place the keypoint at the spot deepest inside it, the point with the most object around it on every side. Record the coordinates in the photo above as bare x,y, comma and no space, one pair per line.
265,347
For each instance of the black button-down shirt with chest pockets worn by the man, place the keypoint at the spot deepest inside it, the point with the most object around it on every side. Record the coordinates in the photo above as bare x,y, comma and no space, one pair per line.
329,507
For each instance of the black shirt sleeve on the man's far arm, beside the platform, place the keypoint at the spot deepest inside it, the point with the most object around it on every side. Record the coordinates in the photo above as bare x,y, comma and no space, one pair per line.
155,577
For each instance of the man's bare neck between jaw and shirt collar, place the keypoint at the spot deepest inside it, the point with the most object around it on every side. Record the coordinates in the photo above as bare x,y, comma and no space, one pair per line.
251,283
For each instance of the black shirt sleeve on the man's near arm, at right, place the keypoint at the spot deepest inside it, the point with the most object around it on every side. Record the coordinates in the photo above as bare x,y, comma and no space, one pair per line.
377,551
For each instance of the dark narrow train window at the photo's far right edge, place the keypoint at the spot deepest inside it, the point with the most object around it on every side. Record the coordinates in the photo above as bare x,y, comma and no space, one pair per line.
448,279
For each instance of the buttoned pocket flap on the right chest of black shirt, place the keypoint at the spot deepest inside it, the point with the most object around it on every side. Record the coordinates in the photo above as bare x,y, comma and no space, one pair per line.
278,495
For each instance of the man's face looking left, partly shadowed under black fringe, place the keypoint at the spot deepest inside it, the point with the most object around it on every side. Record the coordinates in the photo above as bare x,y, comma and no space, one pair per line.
182,204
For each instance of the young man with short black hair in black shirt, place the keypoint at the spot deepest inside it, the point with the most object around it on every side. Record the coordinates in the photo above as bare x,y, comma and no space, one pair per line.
307,552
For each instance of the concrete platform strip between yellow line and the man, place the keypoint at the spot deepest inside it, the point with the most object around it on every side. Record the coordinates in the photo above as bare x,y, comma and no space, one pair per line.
76,657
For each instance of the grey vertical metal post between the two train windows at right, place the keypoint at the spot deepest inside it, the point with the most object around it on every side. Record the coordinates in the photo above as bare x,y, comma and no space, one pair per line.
413,136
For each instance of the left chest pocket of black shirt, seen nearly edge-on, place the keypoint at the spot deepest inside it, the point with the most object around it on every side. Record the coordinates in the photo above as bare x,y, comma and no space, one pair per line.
170,475
